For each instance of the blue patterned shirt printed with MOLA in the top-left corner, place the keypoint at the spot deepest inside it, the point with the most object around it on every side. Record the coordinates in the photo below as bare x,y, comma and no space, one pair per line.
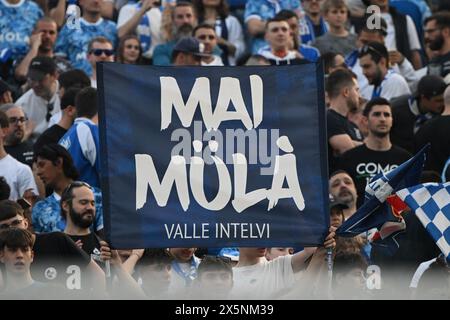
15,29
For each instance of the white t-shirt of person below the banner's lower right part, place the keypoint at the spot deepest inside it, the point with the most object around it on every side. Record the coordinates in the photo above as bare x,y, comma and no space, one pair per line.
266,280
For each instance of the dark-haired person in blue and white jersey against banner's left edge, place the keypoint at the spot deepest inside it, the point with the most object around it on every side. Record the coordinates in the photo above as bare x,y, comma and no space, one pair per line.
82,139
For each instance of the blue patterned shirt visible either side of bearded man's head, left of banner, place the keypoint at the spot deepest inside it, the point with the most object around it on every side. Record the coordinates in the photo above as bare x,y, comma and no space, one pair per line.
46,215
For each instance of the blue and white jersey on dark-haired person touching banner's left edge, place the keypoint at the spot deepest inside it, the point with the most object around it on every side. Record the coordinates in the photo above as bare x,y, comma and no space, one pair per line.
82,142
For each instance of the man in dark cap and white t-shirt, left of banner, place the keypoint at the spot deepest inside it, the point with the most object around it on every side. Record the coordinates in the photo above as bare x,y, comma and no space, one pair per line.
42,100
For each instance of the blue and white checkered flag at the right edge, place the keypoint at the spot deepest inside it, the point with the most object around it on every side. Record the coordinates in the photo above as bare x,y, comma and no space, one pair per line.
431,203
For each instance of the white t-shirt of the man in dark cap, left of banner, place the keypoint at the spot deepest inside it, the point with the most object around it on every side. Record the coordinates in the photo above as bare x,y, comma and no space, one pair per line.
35,108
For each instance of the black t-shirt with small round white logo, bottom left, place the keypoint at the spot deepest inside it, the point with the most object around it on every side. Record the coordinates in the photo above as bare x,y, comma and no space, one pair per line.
54,253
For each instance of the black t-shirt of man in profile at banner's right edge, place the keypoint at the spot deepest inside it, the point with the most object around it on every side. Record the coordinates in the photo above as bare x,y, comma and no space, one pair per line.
337,124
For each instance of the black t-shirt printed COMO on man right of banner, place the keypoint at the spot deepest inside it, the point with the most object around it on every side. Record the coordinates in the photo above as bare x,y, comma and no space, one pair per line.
363,163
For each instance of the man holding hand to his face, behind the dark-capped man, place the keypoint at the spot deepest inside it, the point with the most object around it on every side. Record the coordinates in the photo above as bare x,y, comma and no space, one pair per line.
42,42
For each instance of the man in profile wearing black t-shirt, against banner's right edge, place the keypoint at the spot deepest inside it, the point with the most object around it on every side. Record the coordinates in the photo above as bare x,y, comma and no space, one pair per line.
343,93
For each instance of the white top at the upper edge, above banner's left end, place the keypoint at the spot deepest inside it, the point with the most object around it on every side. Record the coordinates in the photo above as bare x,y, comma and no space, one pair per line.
153,30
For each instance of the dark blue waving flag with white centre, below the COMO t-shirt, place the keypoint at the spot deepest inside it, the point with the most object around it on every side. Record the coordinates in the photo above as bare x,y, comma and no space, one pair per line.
375,212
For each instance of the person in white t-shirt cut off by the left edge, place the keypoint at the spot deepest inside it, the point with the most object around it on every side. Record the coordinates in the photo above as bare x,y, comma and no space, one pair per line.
18,175
